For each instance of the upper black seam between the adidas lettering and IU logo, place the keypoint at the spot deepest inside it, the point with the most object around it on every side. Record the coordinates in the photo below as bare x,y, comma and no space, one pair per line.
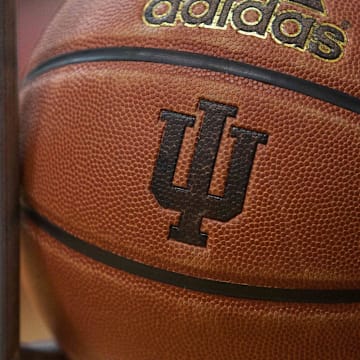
205,62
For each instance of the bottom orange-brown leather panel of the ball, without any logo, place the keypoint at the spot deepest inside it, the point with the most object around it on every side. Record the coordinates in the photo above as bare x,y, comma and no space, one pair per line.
100,313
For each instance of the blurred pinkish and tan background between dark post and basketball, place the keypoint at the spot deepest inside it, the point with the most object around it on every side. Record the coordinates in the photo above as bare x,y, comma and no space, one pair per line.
32,18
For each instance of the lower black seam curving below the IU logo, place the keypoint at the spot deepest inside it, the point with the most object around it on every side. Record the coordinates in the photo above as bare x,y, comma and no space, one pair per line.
188,282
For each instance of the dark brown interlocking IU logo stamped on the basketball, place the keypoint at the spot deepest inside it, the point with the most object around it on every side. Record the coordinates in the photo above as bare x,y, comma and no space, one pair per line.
194,201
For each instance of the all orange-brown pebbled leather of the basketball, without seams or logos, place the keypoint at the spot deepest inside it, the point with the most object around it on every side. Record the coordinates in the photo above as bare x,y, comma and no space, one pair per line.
91,134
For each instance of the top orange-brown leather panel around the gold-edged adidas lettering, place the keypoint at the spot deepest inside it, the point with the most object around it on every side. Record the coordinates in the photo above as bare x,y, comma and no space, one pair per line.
119,23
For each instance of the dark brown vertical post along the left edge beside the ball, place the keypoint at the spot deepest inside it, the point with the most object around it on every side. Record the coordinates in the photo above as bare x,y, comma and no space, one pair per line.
9,273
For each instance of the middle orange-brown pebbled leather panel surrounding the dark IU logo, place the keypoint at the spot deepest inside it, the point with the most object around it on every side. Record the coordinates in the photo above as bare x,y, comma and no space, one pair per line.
89,160
